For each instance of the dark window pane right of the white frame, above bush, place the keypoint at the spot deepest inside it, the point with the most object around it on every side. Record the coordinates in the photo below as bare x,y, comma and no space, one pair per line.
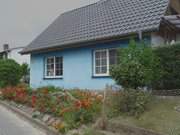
113,57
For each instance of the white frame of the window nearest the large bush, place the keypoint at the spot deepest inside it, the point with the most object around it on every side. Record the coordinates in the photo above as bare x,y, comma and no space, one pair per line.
94,62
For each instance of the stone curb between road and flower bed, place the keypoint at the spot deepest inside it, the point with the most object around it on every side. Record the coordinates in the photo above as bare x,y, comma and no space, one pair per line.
36,123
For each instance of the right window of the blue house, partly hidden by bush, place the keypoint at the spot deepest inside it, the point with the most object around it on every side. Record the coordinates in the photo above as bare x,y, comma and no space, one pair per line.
103,59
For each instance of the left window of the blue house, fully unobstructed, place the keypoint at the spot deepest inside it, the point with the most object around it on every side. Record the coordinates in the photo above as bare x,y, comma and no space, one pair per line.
53,67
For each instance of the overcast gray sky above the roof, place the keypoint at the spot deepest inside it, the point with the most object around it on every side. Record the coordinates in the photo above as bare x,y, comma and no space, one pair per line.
22,20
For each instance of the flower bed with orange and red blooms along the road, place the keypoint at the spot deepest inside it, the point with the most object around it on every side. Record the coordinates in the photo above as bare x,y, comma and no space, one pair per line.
61,109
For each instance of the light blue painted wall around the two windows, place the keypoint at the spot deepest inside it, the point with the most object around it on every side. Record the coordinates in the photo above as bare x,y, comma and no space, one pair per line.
78,68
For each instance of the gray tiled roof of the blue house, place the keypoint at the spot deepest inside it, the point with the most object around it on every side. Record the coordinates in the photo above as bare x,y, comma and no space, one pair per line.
106,18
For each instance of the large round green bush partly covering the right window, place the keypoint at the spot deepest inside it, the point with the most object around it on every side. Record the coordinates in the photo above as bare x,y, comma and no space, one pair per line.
137,66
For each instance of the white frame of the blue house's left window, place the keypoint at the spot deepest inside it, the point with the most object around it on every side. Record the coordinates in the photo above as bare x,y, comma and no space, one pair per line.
54,76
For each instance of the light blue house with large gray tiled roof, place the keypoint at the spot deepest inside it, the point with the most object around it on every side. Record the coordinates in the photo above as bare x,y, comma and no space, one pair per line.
77,50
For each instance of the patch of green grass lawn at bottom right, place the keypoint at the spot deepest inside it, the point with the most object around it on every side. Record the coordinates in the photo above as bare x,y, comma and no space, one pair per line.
160,117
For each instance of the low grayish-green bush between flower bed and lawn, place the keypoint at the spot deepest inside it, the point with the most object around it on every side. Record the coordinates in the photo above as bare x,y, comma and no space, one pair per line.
133,102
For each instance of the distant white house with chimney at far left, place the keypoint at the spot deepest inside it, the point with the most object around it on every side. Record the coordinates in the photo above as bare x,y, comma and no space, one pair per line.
7,52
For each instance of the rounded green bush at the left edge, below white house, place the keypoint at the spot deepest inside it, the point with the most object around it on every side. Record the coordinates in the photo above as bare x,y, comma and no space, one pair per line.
10,73
